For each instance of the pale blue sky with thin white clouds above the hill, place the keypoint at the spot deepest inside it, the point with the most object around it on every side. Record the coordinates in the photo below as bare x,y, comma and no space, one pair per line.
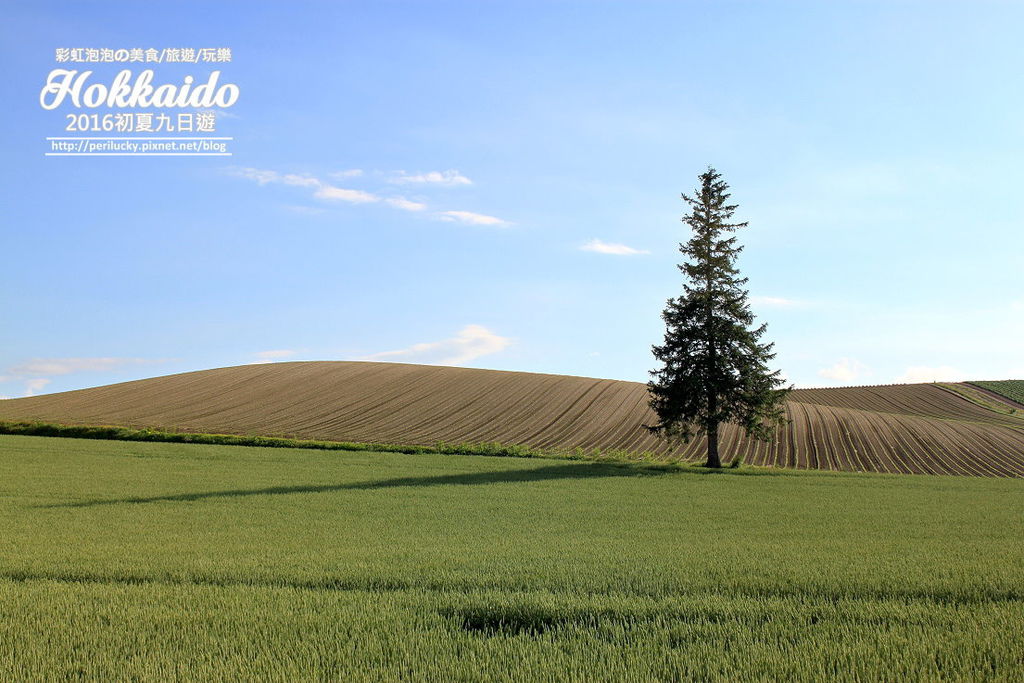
497,186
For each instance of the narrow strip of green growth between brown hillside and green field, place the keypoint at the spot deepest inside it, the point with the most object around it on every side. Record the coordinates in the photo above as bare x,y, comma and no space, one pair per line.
496,449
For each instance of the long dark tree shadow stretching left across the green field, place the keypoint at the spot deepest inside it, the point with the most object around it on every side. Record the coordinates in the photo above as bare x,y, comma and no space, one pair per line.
582,472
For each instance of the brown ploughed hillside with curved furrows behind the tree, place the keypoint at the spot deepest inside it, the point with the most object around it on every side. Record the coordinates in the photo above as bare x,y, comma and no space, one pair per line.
923,429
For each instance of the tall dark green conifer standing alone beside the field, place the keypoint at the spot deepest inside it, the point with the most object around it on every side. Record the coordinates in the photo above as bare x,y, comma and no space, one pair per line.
715,369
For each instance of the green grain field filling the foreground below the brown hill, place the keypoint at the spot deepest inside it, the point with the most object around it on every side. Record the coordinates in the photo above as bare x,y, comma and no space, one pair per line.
136,561
